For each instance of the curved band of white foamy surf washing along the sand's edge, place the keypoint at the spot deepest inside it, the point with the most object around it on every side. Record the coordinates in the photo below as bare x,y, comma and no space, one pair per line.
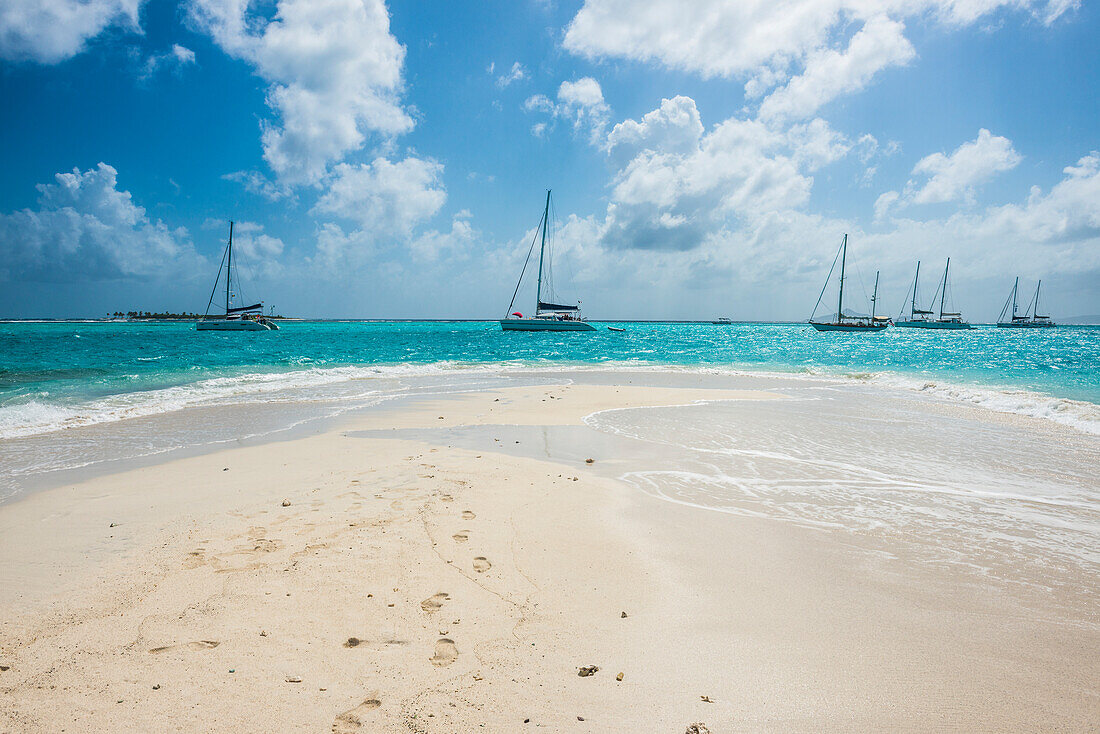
402,382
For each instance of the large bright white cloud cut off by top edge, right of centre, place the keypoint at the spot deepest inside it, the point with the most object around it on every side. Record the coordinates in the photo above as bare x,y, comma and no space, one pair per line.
808,45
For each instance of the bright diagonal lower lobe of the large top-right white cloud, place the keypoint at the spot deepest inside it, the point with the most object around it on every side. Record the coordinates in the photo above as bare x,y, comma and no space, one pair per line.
830,73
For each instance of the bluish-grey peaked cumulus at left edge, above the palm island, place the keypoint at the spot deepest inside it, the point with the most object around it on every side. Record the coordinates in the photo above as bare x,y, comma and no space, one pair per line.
86,229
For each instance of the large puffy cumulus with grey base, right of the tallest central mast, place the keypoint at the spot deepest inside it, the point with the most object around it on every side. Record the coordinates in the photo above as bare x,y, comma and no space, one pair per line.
677,185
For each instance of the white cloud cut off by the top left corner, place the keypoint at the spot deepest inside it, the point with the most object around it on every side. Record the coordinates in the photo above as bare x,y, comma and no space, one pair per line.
51,31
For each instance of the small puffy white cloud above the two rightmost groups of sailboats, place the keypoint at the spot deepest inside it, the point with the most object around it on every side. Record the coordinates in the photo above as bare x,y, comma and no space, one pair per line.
955,176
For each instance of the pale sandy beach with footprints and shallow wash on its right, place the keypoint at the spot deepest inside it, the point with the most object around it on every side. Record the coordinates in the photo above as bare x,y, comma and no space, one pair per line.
452,564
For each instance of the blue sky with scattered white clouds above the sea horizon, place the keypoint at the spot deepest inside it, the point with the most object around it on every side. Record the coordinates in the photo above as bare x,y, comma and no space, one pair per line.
392,160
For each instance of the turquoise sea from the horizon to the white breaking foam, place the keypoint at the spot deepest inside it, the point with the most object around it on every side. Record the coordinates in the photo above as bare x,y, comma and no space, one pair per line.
58,376
